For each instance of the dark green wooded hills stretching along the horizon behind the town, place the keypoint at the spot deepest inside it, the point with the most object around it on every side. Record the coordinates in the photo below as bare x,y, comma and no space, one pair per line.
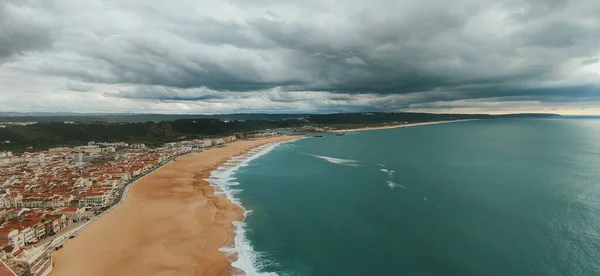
20,132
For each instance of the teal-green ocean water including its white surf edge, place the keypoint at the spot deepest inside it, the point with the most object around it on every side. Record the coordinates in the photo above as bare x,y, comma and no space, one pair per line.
489,197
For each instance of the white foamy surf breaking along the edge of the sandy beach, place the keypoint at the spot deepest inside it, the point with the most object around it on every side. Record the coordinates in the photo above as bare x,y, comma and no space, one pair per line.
223,181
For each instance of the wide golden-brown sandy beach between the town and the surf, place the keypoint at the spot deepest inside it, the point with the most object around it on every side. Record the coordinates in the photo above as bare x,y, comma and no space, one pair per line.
170,224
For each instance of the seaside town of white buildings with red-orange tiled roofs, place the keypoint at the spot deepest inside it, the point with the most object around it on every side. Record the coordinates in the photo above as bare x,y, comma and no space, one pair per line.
46,197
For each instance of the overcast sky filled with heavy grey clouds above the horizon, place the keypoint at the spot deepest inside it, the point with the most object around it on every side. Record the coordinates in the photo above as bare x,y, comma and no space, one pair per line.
226,56
